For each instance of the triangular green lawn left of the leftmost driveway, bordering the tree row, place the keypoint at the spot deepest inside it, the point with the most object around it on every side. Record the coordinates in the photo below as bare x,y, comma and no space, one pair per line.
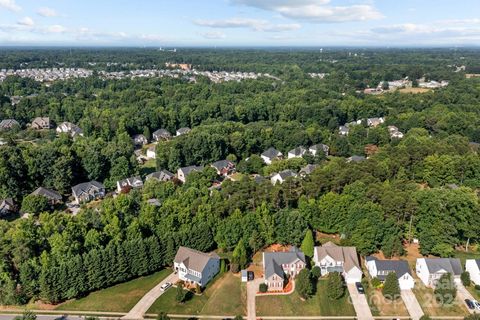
119,298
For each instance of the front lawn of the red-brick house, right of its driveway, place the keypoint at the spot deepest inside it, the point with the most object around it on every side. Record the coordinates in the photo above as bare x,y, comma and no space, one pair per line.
292,305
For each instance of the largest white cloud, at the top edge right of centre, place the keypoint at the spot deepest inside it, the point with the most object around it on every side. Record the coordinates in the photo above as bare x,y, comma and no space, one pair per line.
315,11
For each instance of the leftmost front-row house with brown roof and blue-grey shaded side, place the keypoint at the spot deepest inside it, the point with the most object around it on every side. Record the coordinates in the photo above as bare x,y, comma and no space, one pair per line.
195,267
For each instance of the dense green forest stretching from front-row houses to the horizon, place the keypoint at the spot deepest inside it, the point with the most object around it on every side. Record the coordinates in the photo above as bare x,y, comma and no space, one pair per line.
423,186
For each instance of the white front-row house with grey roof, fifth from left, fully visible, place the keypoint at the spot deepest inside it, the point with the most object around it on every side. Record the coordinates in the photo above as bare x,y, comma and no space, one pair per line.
430,270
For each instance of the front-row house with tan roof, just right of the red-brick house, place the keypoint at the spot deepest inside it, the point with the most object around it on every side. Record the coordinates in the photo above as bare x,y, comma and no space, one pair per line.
333,258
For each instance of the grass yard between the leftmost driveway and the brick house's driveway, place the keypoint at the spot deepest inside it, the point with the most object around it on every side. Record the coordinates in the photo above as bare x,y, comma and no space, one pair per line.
225,296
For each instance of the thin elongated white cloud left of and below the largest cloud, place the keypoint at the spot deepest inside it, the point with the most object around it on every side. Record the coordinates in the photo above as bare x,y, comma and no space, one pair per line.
252,24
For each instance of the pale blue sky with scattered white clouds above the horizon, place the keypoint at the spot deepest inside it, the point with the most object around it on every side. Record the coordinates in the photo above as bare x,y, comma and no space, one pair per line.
170,23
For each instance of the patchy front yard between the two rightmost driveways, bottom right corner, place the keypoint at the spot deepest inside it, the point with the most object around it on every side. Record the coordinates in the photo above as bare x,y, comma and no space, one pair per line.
431,307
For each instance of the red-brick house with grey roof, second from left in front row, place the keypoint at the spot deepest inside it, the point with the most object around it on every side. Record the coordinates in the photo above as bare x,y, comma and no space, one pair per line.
278,265
